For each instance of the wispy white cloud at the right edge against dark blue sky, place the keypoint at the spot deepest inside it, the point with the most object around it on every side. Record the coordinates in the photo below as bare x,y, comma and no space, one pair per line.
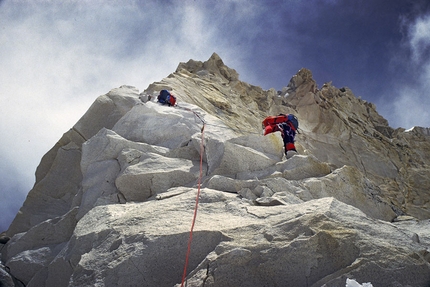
407,104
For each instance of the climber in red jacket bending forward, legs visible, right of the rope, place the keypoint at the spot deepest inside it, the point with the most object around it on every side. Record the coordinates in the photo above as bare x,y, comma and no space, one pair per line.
287,125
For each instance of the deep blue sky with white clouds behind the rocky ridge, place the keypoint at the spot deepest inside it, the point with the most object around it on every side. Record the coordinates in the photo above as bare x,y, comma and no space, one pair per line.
57,57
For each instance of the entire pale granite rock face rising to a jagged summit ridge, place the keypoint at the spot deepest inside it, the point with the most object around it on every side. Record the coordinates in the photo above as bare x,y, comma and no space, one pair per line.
114,198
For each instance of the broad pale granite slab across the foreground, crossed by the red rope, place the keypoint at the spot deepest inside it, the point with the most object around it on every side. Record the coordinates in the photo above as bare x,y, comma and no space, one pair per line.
322,241
